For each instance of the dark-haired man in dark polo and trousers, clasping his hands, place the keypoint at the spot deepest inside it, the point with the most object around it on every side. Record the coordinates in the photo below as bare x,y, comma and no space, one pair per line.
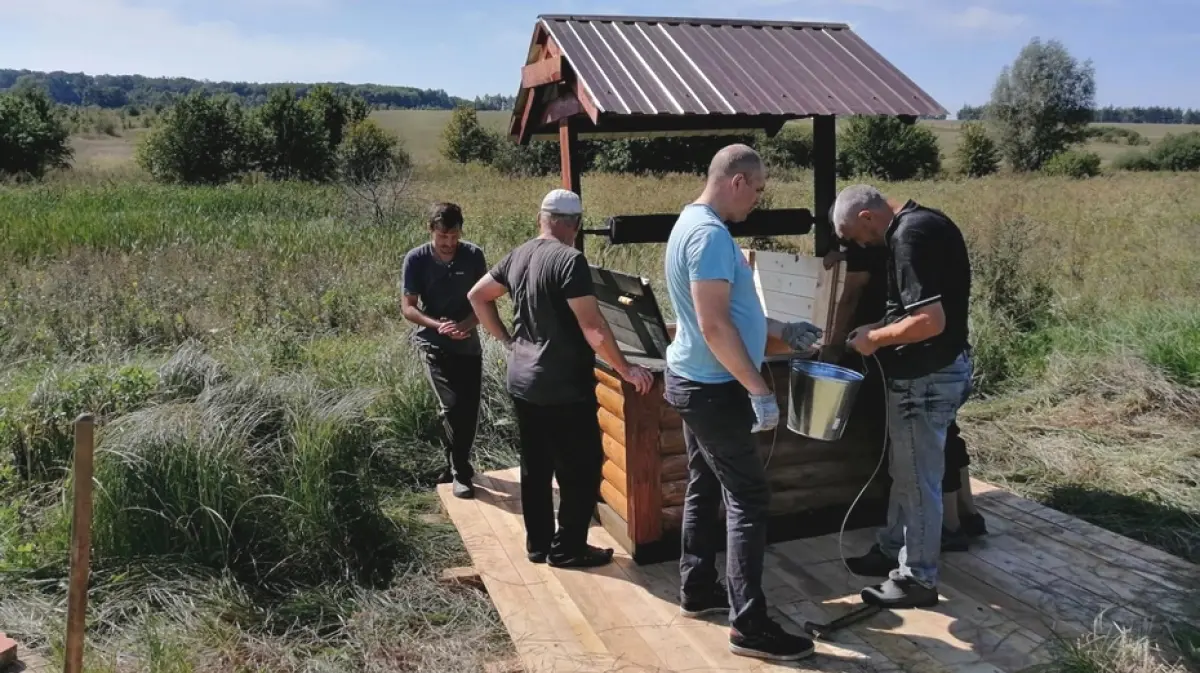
440,274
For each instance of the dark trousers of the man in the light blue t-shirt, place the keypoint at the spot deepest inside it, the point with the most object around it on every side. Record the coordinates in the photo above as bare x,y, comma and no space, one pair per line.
723,464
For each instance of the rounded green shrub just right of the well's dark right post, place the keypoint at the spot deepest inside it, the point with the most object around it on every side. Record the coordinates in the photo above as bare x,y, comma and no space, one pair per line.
890,149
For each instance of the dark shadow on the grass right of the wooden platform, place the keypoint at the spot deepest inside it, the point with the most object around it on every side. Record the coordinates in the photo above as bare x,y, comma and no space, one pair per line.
1147,519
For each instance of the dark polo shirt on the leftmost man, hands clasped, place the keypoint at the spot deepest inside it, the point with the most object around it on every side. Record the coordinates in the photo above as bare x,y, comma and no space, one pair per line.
442,289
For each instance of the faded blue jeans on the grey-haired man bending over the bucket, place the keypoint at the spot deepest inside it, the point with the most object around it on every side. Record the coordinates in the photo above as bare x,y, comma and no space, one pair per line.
920,413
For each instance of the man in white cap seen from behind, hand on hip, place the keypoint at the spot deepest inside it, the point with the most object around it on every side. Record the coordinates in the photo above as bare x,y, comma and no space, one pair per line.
559,331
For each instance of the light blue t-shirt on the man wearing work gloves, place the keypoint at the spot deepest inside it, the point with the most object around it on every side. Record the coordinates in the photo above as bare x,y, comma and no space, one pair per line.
701,249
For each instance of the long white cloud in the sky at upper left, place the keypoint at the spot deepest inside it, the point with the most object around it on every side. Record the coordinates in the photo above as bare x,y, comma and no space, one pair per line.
117,37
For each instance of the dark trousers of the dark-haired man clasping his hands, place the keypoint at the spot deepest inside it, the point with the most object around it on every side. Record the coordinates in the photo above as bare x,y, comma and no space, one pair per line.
457,382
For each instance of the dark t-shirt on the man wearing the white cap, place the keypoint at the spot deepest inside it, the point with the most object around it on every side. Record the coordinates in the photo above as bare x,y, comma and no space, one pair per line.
551,363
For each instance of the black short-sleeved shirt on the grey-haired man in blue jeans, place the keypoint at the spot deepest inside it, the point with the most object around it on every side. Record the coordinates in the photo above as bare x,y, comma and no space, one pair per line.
929,263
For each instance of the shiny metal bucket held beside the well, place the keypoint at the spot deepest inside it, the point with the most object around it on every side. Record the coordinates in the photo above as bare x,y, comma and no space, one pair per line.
821,399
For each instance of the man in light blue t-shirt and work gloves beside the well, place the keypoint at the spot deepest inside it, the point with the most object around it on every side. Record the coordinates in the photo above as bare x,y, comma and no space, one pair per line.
715,382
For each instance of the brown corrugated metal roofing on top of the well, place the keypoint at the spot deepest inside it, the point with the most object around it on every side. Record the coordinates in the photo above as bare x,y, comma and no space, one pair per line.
685,67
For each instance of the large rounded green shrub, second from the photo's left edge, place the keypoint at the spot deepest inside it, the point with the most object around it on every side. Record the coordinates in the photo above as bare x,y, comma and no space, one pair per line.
201,141
